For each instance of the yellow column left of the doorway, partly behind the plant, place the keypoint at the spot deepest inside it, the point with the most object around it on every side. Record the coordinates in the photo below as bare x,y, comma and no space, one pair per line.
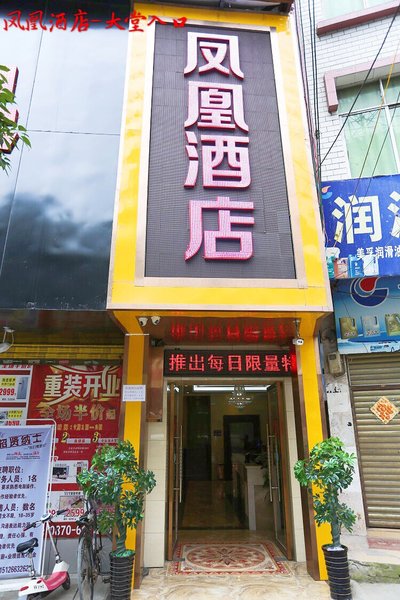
135,359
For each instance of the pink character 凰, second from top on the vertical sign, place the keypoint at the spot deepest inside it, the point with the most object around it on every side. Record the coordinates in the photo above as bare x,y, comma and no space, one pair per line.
215,106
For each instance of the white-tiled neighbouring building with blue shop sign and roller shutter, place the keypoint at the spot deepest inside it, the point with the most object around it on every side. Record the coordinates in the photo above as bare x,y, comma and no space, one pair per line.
350,60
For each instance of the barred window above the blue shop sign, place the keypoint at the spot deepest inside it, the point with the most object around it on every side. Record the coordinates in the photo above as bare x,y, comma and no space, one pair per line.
372,132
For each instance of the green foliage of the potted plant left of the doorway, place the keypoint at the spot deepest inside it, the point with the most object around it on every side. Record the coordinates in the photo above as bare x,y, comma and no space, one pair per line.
115,480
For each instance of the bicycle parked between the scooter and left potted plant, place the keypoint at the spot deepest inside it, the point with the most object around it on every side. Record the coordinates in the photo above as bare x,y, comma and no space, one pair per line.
90,546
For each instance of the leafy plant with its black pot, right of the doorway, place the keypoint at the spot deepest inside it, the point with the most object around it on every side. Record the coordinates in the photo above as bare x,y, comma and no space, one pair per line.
329,470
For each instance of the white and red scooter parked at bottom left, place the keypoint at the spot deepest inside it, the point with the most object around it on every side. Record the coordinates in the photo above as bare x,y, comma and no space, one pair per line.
39,586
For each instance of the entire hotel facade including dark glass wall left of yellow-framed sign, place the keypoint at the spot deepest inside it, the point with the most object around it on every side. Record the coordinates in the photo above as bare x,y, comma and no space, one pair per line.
205,349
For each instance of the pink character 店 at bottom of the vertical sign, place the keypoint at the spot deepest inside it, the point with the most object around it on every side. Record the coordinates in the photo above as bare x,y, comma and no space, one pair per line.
224,206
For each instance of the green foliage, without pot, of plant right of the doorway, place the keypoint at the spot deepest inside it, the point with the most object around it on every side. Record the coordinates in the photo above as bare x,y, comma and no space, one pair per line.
328,471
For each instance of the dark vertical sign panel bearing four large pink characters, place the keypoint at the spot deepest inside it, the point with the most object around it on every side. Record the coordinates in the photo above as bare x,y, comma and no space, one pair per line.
217,202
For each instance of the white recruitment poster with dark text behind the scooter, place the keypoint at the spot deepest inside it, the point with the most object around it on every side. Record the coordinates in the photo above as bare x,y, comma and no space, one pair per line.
25,454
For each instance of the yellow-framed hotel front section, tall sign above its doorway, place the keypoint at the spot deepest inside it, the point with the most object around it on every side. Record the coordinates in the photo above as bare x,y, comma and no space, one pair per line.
217,276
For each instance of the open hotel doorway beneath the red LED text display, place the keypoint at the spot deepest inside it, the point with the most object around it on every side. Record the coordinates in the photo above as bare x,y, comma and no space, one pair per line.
228,463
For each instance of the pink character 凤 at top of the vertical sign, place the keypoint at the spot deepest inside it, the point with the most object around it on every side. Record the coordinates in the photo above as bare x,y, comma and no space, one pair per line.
214,49
